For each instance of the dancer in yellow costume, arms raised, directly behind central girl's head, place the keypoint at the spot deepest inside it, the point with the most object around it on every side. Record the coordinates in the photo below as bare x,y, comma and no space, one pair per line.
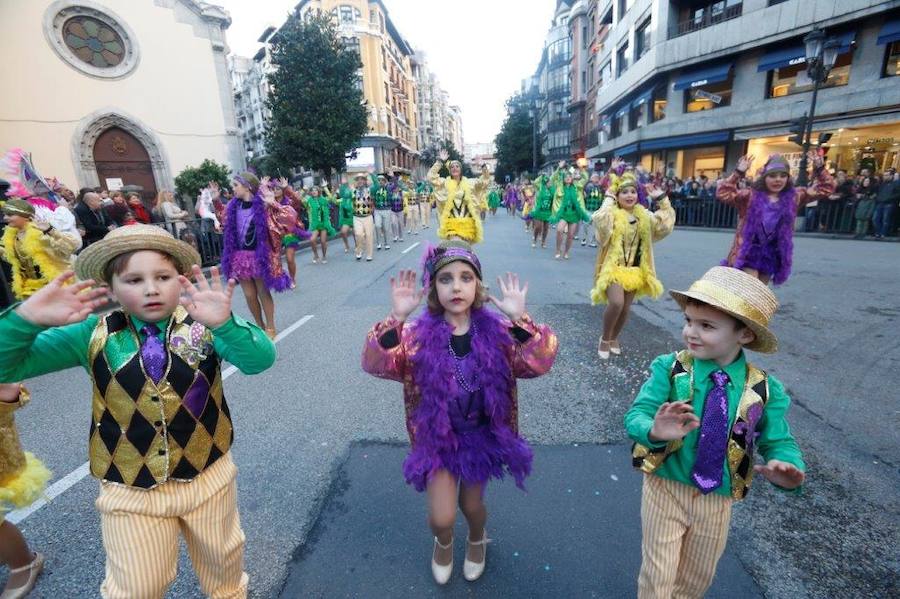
460,201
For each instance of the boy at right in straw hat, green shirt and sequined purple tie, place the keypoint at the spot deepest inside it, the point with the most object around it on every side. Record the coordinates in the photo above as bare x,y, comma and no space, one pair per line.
696,422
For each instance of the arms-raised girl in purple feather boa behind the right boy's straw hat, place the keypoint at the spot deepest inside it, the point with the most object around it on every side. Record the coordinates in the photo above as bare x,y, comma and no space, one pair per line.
764,242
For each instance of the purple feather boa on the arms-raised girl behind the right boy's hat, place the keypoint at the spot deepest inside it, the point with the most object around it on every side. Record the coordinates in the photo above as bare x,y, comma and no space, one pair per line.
756,250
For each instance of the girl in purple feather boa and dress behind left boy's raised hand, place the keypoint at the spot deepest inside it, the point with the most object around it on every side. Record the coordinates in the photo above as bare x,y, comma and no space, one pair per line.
255,224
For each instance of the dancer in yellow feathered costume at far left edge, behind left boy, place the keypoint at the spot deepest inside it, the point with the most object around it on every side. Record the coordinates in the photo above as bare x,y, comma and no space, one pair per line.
36,254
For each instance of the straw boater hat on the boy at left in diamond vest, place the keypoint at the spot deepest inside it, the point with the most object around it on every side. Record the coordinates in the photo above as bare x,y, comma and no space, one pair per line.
91,263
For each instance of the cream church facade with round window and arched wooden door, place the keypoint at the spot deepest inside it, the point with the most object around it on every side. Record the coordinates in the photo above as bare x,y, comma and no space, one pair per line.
79,75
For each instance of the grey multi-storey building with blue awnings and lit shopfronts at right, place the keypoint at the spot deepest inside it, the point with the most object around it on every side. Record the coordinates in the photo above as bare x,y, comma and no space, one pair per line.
688,87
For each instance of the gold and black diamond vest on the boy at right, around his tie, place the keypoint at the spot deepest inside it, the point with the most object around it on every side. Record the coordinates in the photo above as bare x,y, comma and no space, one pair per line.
743,432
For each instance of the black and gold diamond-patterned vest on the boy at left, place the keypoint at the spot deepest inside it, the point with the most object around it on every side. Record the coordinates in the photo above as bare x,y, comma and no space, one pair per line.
143,434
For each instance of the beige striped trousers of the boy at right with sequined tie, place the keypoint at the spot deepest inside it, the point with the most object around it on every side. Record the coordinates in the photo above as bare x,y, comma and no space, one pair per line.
683,536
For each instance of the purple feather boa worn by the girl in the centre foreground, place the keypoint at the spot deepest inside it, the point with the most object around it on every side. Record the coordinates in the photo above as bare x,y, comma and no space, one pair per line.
490,456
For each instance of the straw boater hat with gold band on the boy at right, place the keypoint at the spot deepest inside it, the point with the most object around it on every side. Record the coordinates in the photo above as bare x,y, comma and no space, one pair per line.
740,295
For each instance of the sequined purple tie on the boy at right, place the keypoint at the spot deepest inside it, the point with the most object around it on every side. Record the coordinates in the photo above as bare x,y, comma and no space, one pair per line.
707,472
